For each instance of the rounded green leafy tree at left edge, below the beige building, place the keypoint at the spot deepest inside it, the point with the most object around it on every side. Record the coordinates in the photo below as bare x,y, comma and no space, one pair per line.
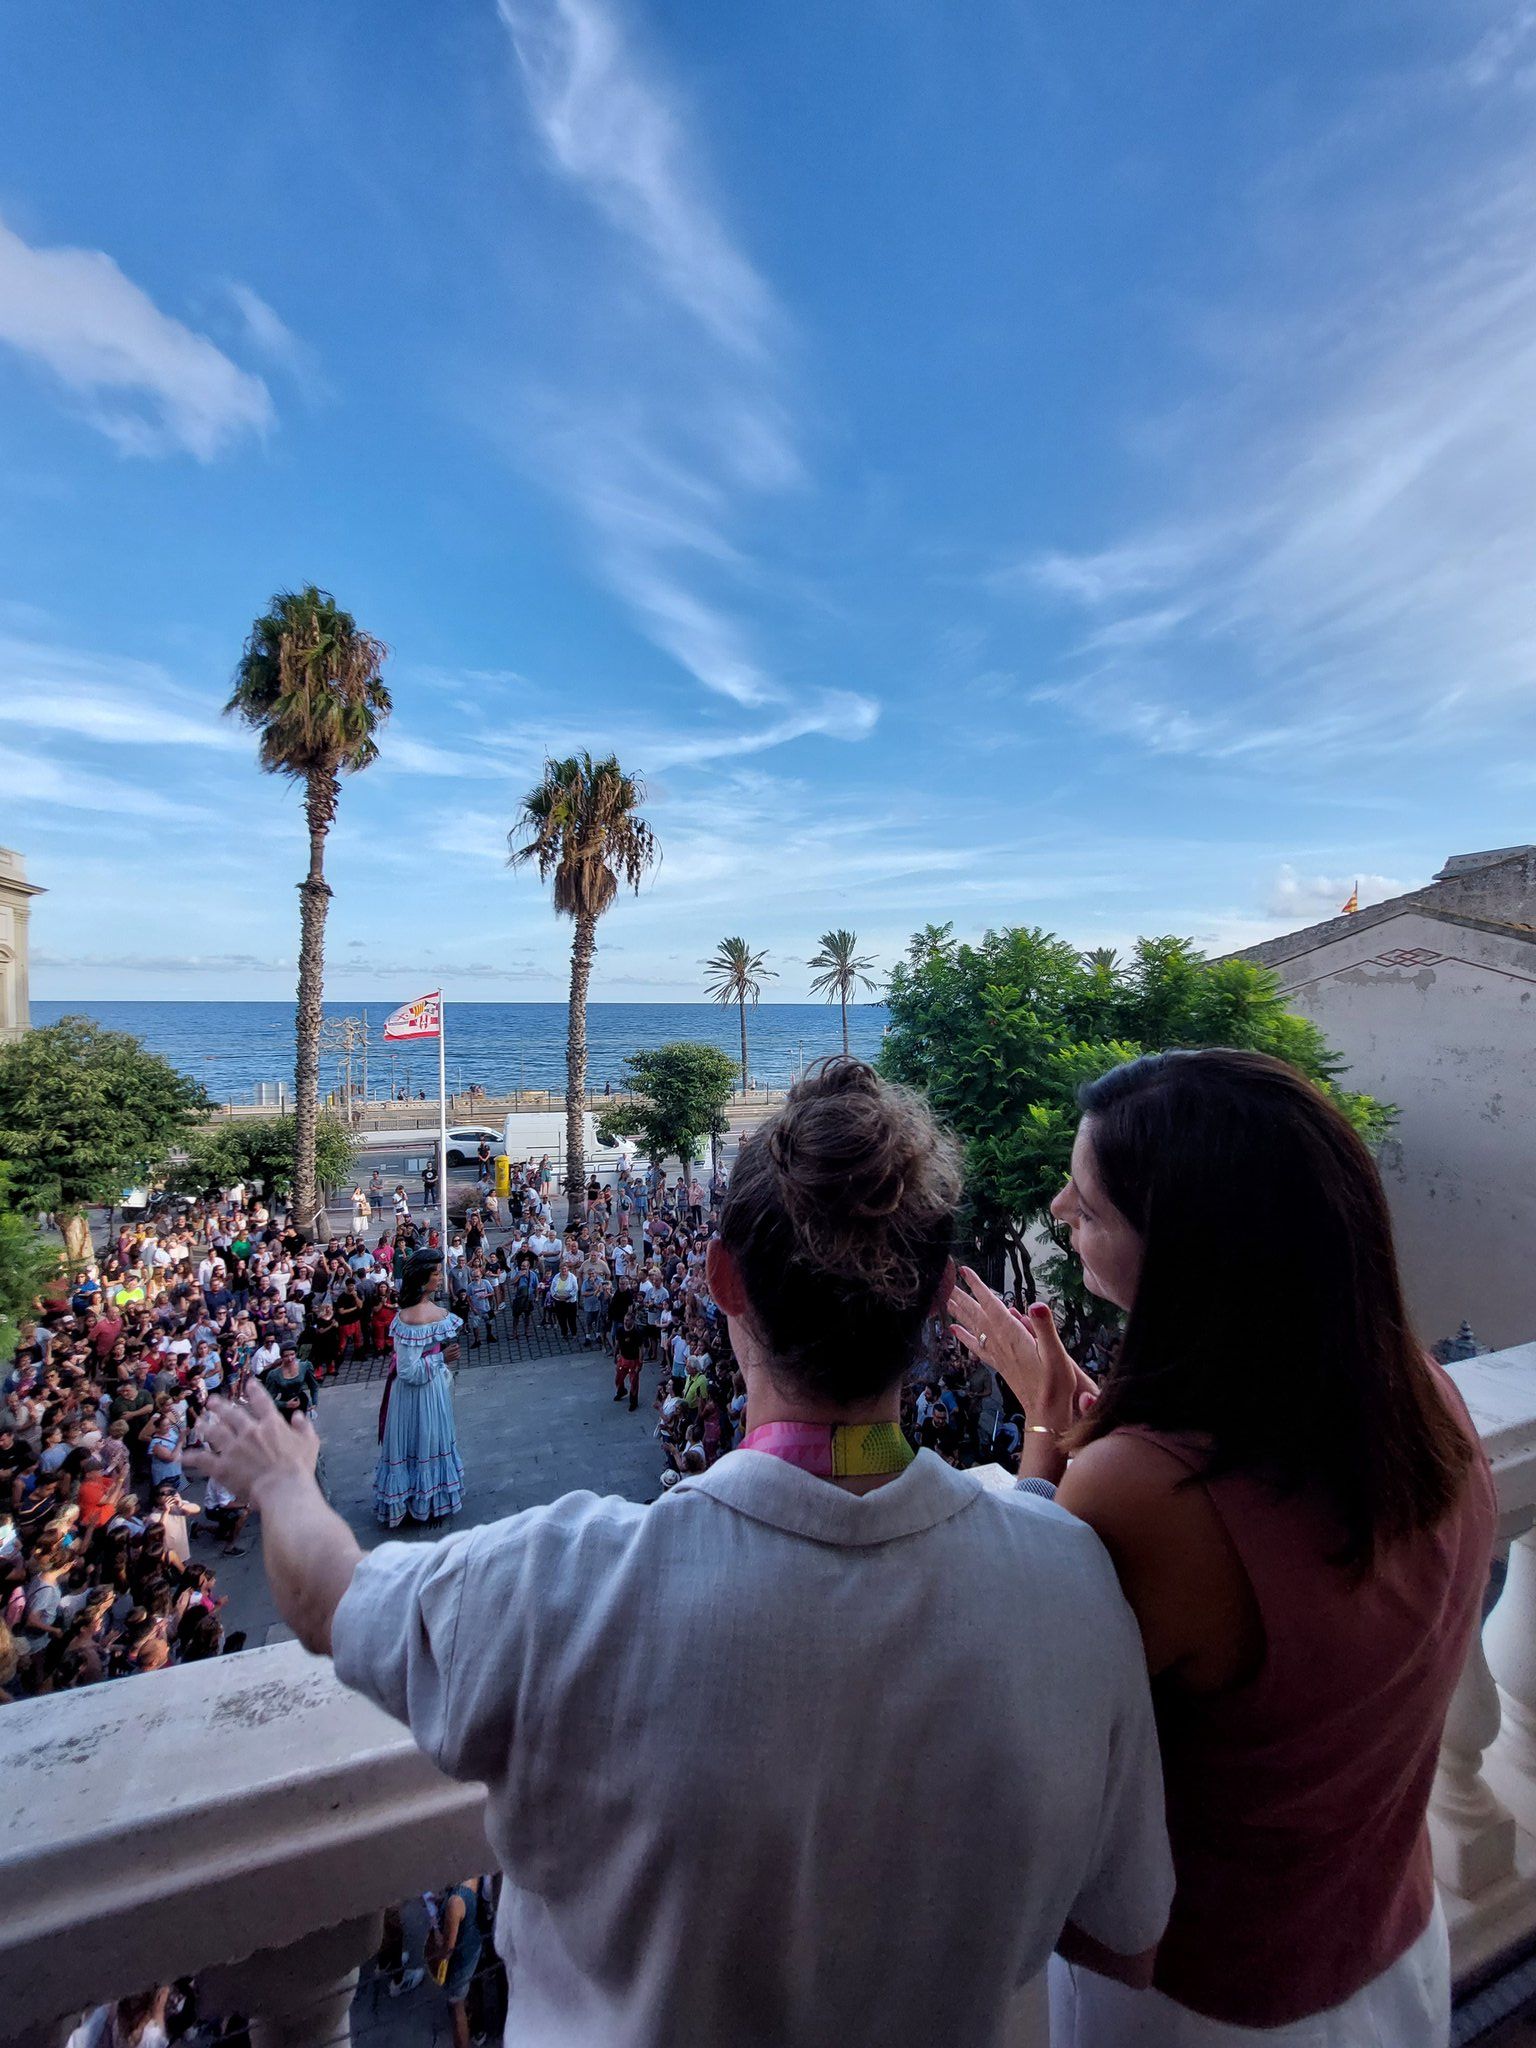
83,1113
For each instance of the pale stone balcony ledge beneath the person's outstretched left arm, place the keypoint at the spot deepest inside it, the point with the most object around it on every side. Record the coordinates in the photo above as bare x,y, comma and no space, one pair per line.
200,1816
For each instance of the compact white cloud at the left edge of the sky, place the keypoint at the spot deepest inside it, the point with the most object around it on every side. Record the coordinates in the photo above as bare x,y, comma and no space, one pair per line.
144,380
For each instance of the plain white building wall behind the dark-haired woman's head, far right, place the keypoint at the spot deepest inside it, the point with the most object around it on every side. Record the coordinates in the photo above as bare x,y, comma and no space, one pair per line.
1441,1019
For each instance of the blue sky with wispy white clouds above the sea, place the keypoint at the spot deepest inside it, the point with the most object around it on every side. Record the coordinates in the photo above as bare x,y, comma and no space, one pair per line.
994,464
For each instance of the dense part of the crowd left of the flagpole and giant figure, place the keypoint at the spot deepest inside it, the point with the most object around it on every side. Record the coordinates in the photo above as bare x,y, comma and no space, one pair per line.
108,1549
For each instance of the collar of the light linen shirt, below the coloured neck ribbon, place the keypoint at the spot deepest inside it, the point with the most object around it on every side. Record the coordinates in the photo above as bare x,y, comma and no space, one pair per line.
779,1494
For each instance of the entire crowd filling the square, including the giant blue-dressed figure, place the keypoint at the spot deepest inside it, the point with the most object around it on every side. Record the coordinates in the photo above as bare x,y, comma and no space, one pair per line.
110,1553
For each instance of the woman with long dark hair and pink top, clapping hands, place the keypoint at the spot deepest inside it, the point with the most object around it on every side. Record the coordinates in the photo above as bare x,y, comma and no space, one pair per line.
1302,1519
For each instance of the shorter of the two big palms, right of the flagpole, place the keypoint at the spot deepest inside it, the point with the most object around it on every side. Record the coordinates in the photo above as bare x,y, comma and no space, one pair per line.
581,824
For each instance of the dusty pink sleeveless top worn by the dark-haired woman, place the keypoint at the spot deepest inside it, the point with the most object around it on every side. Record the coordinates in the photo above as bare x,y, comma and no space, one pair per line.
1297,1801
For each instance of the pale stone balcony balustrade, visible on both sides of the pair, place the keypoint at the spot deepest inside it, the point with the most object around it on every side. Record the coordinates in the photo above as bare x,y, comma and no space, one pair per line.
247,1820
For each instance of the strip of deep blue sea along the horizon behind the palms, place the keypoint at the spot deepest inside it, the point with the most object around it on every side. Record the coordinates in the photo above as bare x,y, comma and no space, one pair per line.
234,1048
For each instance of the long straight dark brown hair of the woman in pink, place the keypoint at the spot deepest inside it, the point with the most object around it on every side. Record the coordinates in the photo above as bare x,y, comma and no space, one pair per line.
1269,1316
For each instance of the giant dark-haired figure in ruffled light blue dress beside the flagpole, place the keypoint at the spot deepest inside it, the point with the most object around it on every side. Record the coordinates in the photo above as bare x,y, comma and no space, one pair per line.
419,1476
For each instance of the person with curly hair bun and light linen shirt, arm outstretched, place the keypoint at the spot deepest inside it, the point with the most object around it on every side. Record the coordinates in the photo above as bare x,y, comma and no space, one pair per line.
708,1725
